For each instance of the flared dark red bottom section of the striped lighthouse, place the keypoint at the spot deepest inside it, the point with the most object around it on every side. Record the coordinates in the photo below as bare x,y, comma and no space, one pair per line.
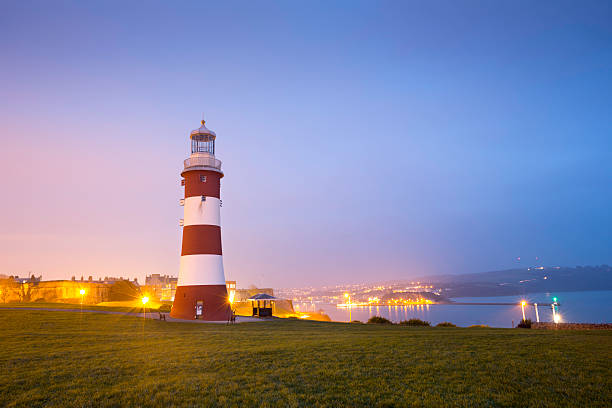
201,302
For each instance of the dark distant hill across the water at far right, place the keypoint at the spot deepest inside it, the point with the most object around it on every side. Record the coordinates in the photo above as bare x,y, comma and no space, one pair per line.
522,281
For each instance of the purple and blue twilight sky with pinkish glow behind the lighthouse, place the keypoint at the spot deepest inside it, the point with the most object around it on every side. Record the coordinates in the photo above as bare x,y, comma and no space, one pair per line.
361,141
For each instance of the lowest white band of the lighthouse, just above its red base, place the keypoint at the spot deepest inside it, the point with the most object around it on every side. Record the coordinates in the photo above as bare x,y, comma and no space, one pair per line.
201,269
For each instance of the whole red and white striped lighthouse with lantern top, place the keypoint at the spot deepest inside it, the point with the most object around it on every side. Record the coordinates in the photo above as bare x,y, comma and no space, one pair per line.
201,292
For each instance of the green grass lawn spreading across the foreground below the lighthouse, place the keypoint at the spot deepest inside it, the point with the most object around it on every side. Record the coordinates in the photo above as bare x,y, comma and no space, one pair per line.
67,359
